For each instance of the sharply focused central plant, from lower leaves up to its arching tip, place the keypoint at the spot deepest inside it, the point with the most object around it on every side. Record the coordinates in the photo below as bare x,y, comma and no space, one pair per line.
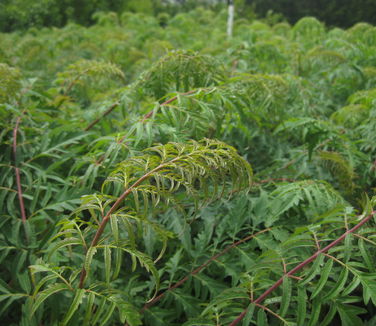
169,172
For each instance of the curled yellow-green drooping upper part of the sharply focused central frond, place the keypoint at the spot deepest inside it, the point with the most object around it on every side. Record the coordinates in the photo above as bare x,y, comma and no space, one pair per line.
202,167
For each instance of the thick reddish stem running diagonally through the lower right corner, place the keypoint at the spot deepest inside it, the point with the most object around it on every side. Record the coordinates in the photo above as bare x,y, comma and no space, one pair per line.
303,264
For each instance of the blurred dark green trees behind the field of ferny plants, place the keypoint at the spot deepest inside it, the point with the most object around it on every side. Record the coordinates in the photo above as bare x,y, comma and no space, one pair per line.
23,14
